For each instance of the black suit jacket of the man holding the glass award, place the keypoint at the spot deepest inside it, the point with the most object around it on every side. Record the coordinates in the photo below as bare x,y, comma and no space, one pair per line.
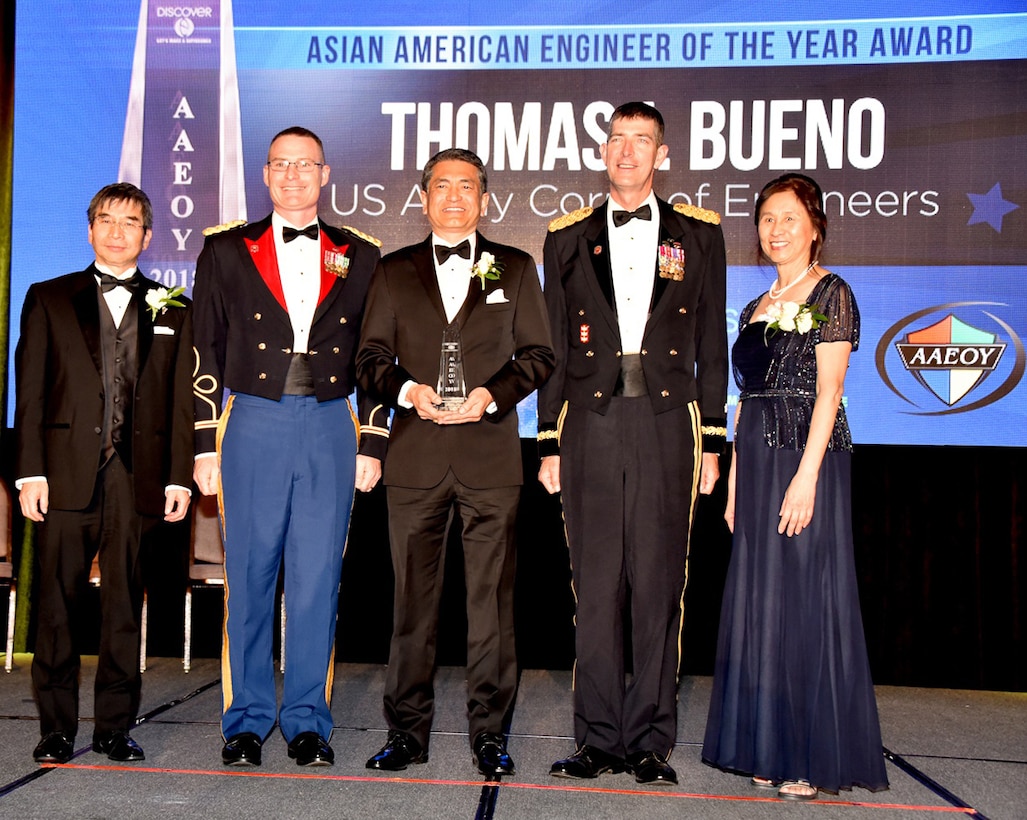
507,349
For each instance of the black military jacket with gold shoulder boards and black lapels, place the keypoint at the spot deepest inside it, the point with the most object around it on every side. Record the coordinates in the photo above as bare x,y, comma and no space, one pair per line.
684,348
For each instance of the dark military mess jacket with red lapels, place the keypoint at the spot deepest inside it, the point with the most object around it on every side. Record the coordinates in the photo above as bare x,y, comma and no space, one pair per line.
245,337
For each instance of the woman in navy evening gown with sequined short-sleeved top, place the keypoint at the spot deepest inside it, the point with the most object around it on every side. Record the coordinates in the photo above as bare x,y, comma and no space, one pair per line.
793,703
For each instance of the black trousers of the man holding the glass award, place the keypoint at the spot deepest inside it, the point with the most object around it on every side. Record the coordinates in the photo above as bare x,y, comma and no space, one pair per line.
420,523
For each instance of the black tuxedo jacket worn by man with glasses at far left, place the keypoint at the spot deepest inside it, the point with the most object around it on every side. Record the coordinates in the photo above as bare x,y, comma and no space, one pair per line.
60,404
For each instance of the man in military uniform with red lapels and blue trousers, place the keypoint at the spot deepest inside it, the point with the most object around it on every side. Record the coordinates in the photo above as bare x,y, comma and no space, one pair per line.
279,311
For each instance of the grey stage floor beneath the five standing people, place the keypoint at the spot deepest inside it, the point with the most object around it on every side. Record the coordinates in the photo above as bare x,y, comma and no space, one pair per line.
953,754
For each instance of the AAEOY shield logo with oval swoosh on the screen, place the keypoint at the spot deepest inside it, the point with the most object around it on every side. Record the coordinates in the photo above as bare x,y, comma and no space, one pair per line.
953,357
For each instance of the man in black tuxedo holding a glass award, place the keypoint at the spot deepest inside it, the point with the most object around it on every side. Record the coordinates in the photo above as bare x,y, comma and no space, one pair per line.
463,465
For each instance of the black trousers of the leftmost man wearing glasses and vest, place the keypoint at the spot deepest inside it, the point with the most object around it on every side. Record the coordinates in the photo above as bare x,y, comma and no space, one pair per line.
68,543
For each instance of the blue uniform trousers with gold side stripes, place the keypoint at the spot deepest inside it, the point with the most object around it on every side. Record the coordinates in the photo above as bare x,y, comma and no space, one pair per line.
287,491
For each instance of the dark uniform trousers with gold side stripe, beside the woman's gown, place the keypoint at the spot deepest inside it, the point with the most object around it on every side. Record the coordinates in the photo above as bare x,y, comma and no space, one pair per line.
629,480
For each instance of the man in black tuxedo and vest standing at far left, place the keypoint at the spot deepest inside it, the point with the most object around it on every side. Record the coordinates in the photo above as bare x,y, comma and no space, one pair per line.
104,423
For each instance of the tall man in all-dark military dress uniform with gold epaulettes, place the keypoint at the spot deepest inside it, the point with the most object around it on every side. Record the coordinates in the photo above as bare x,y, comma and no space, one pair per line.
631,426
